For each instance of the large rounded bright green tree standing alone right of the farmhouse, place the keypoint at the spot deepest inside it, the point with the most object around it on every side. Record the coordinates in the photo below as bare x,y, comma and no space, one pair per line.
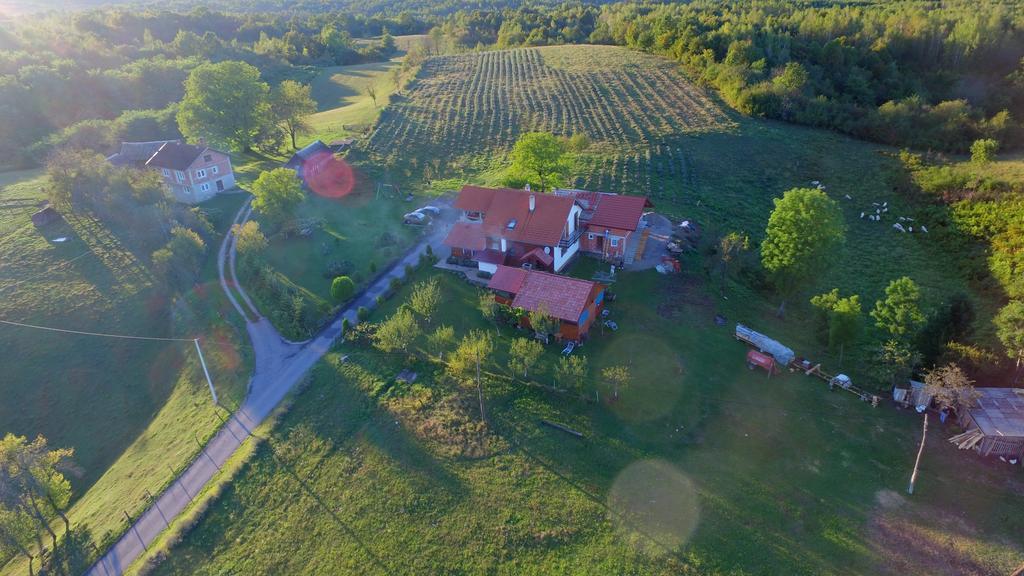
804,234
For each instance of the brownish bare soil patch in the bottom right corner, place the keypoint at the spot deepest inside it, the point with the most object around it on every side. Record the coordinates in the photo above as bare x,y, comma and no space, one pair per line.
929,543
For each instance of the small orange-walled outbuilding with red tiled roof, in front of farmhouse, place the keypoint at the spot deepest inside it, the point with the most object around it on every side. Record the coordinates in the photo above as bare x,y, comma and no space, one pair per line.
575,303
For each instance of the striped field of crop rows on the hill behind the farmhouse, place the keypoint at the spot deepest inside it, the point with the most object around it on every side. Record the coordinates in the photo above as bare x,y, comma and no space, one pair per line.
632,107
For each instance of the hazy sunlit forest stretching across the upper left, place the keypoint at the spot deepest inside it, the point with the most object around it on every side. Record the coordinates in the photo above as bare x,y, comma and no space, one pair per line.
105,76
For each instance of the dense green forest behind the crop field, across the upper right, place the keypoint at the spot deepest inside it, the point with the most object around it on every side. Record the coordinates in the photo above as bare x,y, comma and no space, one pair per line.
909,73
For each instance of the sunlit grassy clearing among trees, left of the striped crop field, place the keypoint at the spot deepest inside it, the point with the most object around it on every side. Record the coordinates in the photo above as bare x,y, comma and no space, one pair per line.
344,105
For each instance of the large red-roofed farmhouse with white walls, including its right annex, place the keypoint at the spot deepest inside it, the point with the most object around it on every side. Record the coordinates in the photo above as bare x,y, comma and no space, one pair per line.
507,227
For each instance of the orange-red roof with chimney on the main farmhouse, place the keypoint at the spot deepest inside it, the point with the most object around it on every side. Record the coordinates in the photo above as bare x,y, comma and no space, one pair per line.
506,214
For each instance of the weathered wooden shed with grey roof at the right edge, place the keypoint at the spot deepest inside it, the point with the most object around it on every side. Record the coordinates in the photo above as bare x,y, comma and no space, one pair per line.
999,415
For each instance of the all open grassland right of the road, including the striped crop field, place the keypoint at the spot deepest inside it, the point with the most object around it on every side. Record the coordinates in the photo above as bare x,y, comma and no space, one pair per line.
703,467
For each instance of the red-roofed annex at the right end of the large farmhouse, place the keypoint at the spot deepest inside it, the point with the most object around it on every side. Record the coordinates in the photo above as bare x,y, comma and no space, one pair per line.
610,222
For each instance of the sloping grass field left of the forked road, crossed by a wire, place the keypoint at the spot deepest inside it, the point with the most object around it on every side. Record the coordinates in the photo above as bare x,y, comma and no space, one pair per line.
130,408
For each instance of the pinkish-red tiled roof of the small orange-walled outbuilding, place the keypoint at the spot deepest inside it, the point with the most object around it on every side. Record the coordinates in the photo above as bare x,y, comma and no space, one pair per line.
561,297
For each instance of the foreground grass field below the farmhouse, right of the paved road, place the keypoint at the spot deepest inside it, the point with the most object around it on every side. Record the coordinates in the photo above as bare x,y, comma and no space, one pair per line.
702,468
